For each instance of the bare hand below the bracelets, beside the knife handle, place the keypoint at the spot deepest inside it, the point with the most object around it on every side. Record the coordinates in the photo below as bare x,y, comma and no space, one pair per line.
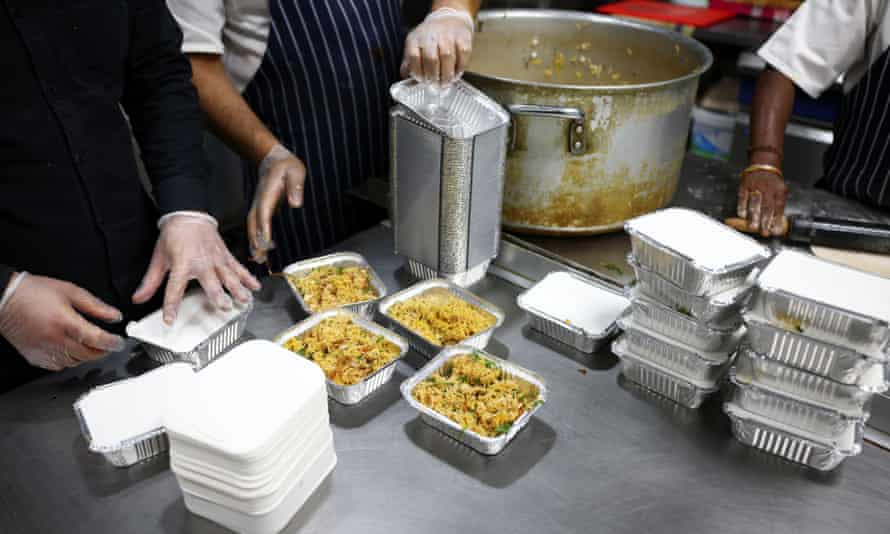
762,197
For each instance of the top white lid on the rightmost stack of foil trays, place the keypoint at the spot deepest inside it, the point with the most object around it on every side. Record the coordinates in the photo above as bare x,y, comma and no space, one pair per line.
828,283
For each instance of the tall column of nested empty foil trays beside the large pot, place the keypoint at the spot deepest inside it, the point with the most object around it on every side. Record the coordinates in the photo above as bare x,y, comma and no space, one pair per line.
448,151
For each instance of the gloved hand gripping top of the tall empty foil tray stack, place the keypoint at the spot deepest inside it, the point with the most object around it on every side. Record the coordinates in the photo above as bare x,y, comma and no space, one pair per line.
439,49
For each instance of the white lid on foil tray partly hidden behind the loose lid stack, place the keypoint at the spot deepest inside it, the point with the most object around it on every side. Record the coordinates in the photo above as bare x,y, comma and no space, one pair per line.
132,407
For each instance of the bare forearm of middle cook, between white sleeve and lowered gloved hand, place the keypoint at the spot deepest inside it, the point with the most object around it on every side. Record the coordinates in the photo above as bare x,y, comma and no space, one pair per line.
226,110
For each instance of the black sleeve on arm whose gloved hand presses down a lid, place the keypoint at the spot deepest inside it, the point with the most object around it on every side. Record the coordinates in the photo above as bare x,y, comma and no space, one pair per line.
163,108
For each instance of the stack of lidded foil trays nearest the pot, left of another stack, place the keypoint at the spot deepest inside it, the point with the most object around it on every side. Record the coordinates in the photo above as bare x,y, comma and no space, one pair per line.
684,323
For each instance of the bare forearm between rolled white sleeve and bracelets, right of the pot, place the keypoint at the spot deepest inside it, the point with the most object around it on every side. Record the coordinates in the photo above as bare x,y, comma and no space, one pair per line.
770,112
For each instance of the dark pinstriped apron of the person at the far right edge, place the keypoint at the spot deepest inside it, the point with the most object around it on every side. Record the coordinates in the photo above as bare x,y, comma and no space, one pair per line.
857,165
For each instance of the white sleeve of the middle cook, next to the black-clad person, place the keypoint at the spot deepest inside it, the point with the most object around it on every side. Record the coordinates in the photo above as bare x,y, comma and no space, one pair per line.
202,23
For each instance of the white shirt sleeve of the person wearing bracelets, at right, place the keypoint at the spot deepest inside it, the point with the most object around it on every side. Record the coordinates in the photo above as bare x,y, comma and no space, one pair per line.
821,41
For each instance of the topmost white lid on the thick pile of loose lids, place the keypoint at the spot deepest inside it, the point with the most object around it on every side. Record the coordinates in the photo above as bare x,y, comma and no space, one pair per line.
244,401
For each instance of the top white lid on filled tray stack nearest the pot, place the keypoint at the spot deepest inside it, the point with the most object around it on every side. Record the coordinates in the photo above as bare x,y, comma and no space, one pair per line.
707,242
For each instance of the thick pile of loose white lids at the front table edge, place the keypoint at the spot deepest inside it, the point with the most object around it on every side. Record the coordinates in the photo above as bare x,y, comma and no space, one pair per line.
250,438
